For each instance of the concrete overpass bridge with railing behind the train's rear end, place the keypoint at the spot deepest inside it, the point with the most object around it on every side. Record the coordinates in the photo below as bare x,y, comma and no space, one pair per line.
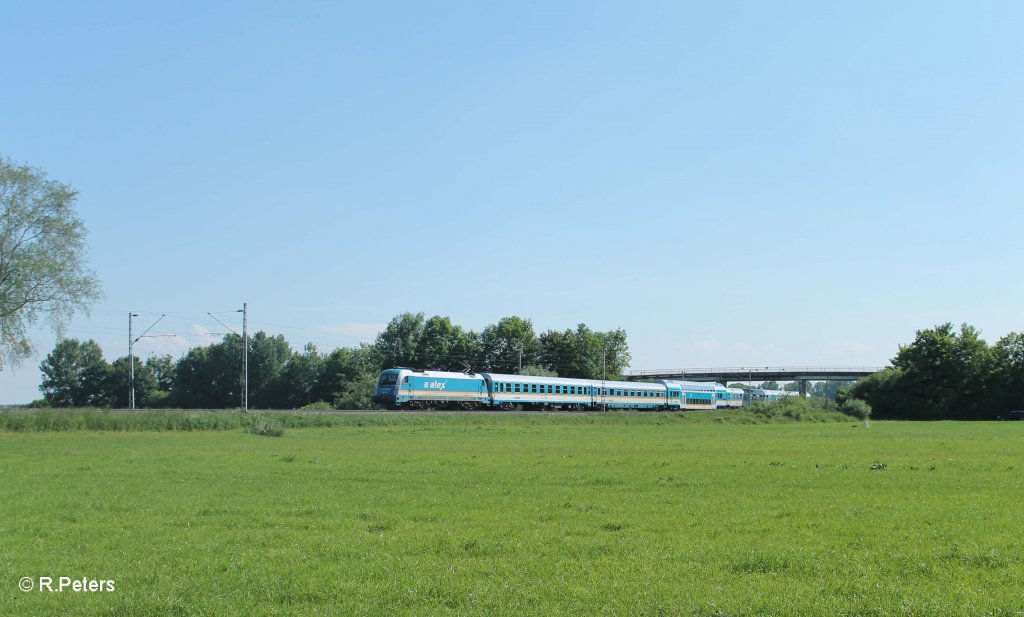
801,375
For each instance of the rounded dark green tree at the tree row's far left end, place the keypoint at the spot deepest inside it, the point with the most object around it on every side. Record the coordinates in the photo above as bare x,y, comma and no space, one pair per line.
75,375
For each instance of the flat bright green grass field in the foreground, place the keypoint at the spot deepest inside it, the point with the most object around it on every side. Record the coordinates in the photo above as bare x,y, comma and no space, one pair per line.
521,515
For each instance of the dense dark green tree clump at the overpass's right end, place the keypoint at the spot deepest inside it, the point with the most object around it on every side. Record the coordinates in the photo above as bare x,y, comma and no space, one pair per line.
948,374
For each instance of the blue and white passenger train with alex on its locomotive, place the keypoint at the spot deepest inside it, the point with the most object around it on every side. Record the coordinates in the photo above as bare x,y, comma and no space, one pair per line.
403,388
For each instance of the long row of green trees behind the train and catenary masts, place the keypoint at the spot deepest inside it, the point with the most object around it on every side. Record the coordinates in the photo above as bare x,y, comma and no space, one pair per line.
76,375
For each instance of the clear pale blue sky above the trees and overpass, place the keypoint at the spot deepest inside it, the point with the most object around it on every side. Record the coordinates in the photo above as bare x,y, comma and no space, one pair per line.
733,184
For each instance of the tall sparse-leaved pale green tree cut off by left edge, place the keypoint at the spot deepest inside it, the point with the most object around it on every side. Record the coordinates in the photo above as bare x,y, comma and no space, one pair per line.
42,258
